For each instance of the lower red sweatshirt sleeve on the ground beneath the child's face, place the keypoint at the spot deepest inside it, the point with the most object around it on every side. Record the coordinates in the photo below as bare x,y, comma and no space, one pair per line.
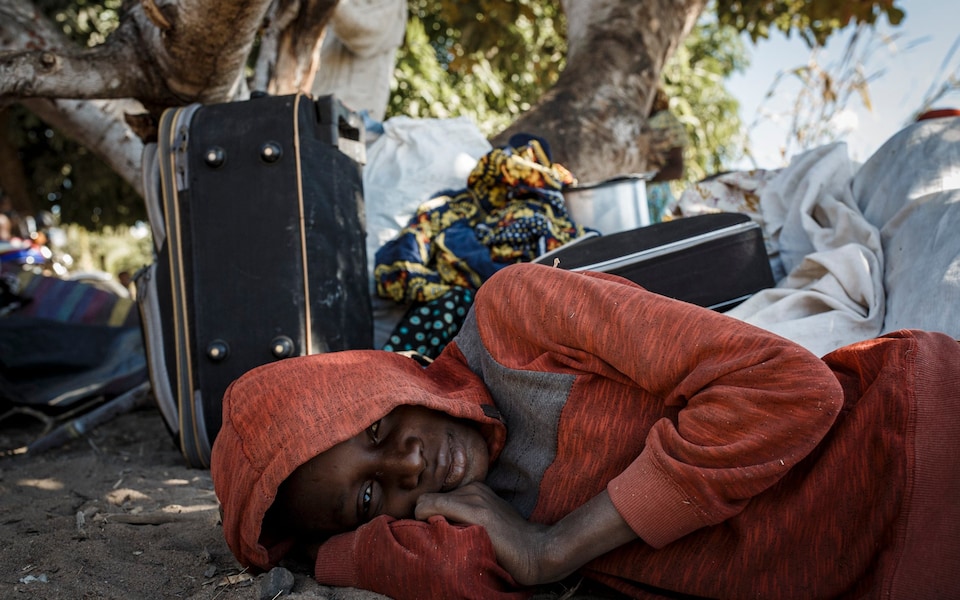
408,559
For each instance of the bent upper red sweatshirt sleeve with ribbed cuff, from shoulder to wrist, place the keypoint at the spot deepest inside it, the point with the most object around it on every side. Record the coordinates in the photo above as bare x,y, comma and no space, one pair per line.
739,405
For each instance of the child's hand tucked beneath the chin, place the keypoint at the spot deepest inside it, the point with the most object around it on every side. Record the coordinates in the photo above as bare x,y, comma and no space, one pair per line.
521,546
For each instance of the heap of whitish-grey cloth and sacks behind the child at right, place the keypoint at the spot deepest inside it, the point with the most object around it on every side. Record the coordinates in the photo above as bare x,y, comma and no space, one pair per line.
857,250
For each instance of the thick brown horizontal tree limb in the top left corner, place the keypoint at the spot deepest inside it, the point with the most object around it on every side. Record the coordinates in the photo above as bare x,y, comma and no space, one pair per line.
165,53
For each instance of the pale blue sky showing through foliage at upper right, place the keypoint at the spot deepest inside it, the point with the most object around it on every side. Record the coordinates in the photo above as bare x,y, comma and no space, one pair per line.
903,71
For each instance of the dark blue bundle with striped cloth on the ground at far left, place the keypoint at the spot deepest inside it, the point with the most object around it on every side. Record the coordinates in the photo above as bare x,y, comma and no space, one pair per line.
68,350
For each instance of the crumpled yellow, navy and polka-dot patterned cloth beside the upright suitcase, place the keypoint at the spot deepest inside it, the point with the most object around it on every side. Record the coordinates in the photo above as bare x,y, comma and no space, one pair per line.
511,210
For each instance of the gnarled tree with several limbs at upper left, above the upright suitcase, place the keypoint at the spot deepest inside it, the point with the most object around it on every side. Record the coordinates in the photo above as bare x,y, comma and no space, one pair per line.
165,53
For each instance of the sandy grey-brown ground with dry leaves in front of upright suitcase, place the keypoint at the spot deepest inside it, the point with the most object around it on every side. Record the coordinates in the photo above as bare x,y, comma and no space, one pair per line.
116,514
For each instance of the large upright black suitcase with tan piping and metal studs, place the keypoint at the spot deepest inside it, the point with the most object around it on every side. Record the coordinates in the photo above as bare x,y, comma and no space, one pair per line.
258,221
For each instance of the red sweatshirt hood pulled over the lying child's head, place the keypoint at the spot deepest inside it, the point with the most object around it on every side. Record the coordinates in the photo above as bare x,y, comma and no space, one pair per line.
280,415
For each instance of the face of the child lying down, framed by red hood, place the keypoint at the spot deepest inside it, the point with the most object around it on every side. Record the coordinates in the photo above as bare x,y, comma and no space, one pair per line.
383,470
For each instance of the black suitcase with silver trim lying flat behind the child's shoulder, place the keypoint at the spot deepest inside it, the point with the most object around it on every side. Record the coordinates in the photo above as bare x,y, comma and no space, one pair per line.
714,260
